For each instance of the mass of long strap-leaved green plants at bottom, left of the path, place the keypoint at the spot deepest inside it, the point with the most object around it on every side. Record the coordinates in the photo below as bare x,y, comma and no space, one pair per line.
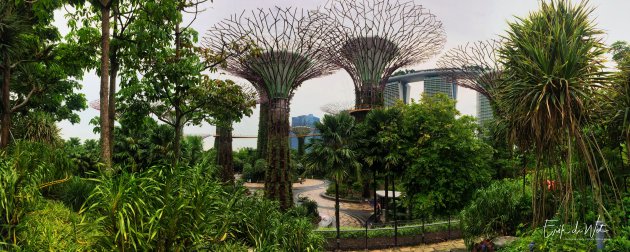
181,208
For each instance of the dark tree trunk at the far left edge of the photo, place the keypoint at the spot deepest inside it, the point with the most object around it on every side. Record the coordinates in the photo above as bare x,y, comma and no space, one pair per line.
6,101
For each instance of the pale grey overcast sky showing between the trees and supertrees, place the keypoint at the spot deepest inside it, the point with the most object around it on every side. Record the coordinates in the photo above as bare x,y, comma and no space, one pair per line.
463,21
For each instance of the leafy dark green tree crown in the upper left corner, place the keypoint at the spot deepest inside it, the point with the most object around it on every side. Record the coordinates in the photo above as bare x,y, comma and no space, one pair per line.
42,68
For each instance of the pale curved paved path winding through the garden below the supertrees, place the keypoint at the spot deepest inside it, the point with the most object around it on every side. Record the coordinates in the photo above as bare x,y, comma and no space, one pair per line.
350,214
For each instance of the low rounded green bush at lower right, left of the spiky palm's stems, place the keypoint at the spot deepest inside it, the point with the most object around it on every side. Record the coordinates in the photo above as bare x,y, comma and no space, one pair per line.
496,210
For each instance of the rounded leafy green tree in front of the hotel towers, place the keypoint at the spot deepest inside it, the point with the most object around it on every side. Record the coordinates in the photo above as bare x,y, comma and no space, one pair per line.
446,161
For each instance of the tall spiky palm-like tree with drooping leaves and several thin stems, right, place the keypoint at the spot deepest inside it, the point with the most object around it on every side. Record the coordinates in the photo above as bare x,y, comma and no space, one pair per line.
553,68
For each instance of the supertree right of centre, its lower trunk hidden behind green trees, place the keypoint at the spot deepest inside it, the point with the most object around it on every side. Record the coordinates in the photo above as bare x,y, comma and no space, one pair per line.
374,38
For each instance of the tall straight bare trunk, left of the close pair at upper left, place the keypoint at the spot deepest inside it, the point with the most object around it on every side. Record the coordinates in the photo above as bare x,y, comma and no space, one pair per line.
106,143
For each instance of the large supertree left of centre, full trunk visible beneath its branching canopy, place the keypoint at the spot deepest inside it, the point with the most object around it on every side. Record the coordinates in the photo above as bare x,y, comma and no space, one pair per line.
287,50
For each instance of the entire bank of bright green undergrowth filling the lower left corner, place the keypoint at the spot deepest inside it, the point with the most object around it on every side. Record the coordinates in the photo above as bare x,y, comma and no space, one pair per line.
162,208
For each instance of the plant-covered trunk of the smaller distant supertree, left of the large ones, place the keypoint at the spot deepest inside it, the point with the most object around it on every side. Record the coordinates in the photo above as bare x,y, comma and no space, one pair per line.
224,154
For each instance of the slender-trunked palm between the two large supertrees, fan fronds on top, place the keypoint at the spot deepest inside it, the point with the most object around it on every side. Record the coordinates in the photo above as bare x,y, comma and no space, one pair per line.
333,152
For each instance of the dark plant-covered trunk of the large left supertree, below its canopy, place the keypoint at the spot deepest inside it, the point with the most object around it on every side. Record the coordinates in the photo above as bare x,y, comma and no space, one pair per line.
277,181
